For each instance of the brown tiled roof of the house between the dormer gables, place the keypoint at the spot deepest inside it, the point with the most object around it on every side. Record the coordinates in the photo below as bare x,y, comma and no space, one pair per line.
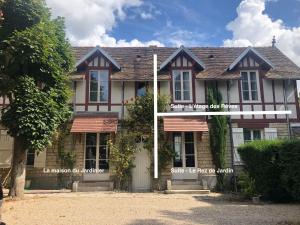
216,67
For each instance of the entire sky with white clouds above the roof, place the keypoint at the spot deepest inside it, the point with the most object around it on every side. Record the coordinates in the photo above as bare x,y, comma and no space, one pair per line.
177,22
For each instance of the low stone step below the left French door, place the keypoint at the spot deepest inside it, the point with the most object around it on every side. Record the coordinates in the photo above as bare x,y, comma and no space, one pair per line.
92,186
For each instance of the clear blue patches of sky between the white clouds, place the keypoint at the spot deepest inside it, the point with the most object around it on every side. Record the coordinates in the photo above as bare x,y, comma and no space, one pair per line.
204,20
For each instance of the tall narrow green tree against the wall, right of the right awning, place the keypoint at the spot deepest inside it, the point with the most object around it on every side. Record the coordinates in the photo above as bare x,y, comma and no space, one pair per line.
217,134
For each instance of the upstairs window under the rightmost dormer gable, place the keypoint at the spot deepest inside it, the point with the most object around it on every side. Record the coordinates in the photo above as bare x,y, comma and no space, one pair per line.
250,85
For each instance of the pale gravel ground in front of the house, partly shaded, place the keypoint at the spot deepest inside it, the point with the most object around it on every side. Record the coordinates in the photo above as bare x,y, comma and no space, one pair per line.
142,208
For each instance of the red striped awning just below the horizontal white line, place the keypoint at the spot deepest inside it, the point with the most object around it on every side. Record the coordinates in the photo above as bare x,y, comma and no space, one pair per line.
185,124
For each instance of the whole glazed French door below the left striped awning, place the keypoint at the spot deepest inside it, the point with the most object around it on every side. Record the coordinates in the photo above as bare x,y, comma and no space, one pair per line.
96,157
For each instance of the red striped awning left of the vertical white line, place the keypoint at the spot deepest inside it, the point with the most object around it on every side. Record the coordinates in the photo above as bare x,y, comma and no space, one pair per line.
94,123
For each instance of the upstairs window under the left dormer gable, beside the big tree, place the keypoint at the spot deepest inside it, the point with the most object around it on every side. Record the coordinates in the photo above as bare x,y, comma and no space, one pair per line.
99,85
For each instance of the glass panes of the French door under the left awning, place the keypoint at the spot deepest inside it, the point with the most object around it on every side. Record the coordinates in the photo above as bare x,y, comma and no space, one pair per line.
97,151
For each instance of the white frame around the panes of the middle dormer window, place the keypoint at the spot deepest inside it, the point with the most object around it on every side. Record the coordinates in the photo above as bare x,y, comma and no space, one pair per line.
181,86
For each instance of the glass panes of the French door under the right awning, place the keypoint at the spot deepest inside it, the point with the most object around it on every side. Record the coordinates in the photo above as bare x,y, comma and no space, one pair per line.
184,148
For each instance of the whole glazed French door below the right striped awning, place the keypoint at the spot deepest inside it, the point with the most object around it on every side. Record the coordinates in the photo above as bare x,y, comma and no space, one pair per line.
185,160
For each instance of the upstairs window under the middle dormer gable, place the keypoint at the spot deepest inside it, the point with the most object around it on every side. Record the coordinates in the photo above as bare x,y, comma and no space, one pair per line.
182,82
